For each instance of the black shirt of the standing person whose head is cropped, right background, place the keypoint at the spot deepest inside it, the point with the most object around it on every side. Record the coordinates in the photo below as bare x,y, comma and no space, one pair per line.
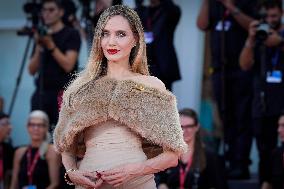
235,35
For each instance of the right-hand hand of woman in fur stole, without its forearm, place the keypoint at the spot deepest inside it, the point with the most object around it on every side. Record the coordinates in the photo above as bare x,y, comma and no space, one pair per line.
121,174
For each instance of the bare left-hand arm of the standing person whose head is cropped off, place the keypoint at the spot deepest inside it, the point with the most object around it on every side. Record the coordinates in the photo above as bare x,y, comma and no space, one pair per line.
203,16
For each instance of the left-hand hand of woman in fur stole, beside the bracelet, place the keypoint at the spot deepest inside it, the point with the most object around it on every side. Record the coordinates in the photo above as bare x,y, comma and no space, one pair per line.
85,178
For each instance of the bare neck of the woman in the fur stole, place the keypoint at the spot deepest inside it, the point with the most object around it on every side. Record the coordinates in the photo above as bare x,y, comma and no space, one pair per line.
119,70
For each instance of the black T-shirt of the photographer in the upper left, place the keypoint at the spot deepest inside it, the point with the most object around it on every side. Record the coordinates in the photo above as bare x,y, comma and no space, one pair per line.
54,77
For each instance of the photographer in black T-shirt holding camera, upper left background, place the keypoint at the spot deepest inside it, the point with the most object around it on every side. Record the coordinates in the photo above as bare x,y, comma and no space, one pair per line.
54,59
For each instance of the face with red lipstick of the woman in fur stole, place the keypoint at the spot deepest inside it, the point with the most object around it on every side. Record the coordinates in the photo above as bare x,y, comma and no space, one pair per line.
117,39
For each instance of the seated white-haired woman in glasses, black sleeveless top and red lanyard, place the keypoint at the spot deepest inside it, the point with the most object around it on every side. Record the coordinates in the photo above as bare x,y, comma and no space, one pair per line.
36,165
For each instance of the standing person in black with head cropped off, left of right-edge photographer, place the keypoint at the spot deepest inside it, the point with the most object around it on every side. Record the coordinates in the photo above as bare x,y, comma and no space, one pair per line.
227,22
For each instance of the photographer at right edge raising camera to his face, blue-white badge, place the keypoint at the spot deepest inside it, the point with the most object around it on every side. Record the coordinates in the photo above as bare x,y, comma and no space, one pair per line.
265,57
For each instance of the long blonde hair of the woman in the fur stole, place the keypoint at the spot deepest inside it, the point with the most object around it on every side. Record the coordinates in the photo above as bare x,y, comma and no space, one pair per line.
97,63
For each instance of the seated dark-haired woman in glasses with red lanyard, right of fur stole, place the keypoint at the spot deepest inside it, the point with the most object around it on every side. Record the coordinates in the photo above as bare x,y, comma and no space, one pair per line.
198,168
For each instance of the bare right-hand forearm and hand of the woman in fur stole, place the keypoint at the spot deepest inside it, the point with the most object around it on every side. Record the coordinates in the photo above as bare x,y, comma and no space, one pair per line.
122,174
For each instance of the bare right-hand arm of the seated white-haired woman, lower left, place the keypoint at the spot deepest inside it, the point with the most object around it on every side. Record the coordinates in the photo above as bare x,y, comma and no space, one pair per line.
53,161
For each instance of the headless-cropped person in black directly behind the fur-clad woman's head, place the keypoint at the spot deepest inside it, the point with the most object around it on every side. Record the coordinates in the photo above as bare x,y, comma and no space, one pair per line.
160,20
